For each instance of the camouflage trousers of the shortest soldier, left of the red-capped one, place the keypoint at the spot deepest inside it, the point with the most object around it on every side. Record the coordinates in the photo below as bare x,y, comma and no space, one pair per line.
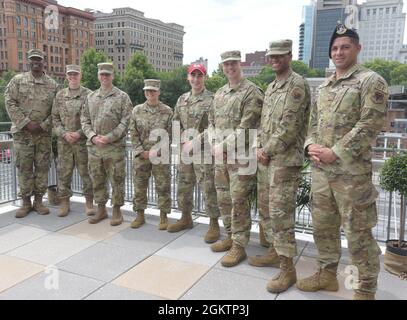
142,169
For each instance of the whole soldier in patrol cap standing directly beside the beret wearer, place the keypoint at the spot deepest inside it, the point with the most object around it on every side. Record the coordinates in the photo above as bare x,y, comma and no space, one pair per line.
284,123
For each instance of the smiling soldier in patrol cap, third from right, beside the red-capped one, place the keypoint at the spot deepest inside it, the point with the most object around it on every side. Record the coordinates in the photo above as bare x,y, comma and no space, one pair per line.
235,110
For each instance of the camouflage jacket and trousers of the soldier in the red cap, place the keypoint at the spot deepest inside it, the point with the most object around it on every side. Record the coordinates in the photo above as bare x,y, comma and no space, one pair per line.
192,112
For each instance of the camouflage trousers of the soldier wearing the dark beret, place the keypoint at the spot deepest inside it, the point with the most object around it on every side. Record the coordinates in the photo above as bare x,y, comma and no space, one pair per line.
349,201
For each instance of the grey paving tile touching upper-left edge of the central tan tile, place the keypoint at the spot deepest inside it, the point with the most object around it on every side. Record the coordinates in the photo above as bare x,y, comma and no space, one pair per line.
103,261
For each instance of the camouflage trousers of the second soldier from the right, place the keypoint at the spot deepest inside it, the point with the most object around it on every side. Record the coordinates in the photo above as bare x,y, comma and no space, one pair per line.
277,191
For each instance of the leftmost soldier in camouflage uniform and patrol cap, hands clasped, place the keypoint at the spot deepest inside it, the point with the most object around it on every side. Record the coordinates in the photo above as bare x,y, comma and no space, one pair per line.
28,100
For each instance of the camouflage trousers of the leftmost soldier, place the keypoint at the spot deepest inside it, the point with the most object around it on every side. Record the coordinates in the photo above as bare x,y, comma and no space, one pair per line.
32,154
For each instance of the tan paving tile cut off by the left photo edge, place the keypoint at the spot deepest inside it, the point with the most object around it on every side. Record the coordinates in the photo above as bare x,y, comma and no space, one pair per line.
14,270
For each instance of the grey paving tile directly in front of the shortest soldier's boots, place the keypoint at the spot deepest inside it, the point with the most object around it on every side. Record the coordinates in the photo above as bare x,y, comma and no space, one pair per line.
148,238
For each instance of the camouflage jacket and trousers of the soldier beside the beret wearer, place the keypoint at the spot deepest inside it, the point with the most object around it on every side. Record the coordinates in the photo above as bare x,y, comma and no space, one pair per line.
284,124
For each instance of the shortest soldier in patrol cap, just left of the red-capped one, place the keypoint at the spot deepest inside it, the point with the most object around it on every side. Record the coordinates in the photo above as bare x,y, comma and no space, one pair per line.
151,117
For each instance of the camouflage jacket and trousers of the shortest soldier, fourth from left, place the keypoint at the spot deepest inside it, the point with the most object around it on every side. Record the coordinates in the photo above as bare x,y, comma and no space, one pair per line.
144,120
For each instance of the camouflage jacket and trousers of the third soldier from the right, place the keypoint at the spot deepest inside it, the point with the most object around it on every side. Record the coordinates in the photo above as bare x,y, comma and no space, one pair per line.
237,107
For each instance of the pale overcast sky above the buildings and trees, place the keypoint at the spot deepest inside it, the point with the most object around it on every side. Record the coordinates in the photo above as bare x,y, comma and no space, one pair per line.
215,26
